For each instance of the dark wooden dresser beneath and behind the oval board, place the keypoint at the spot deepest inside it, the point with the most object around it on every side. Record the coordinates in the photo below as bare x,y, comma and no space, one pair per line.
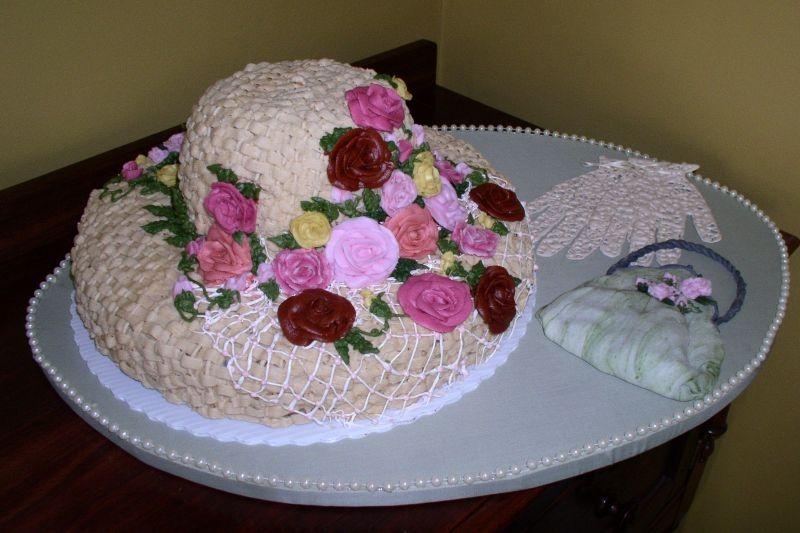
57,473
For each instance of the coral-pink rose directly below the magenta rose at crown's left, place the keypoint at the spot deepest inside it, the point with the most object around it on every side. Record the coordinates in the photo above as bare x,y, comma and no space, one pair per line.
221,257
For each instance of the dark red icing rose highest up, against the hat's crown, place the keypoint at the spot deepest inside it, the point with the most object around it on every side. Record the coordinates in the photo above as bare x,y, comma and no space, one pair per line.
359,159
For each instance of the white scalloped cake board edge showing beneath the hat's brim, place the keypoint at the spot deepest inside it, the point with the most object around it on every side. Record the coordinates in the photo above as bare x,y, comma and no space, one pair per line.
181,417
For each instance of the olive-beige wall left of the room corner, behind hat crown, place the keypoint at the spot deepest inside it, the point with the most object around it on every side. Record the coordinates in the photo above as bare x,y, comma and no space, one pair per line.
81,77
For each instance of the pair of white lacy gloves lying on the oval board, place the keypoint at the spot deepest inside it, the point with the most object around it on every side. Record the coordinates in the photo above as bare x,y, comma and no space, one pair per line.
639,201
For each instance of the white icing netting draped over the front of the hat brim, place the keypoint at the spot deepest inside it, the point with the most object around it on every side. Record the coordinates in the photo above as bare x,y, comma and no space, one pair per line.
314,383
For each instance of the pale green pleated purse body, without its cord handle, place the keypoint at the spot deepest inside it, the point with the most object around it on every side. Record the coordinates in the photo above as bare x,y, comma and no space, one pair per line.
628,334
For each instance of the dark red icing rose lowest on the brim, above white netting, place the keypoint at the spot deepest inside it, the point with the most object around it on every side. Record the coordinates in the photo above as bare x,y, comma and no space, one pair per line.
315,315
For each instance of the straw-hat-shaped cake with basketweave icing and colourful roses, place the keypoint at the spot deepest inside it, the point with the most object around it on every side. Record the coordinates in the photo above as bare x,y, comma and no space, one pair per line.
304,252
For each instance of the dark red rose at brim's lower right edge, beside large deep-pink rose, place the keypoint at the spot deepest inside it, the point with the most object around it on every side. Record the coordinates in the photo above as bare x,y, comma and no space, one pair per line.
494,298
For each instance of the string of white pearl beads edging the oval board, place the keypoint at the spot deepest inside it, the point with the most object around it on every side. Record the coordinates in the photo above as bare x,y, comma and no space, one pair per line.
522,467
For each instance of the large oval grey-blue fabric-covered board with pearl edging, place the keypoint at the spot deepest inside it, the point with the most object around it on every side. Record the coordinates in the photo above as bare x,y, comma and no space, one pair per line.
544,416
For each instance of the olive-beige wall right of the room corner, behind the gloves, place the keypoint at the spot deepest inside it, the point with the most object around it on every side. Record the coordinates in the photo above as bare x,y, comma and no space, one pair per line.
715,83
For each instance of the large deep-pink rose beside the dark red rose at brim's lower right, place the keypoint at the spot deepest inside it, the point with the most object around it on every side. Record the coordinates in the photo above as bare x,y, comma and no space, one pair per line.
436,302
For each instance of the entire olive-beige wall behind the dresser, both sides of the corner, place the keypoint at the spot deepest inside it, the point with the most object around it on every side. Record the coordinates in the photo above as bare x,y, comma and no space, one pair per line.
709,82
